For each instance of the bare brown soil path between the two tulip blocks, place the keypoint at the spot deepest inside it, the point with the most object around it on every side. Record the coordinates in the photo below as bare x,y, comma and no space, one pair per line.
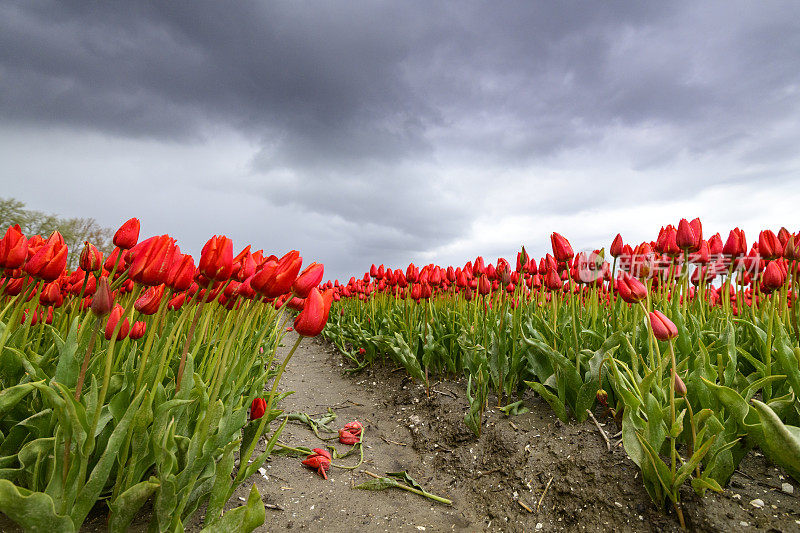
528,472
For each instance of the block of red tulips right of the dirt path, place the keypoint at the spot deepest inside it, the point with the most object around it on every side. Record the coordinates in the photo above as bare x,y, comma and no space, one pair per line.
675,338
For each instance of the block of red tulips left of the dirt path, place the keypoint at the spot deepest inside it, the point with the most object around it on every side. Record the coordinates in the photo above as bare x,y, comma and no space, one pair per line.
129,379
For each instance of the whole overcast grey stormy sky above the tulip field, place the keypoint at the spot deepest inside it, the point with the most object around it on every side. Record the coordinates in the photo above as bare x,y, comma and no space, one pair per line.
389,132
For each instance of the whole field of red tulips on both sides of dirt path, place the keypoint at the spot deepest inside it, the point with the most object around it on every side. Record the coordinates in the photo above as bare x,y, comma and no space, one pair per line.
143,382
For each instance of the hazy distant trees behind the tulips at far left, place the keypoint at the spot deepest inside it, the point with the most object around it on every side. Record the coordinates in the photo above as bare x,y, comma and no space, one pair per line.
74,230
